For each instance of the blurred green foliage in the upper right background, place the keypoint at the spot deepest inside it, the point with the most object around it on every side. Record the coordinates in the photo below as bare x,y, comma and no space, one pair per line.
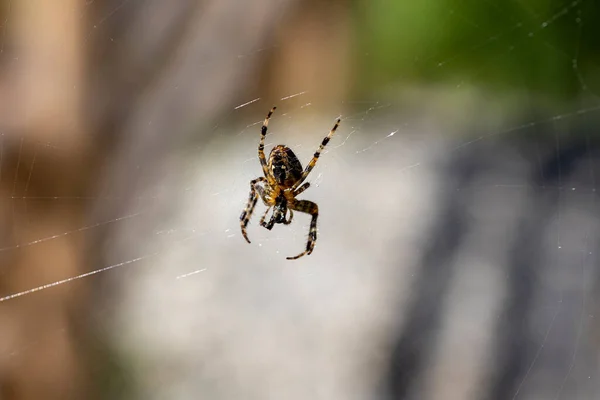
544,46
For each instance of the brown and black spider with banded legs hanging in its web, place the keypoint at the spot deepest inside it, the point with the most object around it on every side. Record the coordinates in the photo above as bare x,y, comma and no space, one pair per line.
282,180
